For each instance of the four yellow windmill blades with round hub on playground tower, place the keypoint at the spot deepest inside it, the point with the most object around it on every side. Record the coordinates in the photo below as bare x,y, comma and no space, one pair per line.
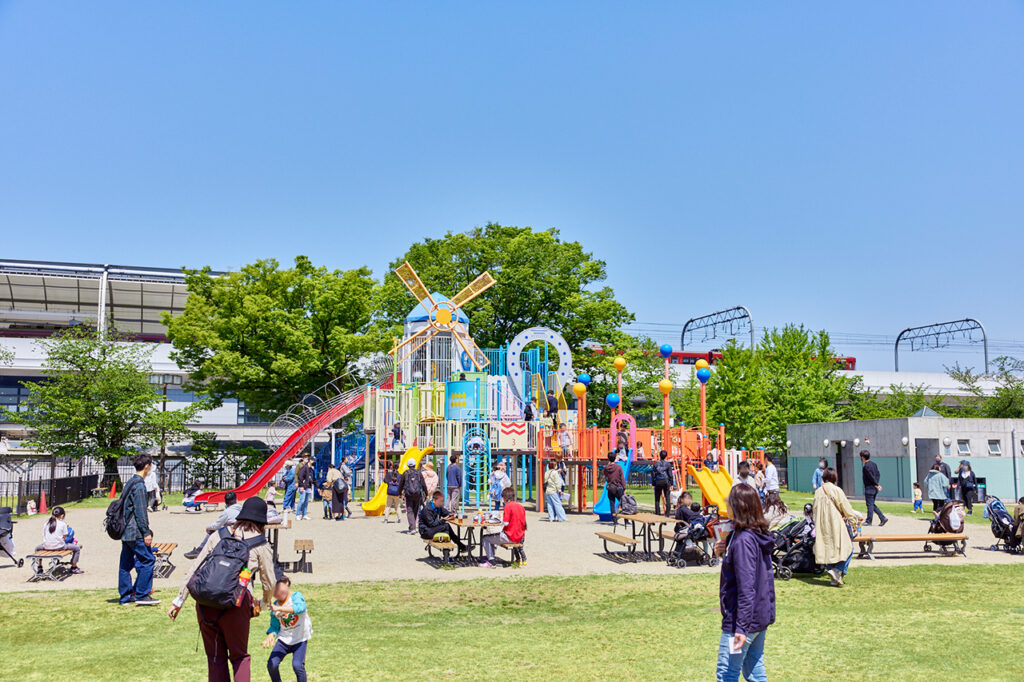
442,316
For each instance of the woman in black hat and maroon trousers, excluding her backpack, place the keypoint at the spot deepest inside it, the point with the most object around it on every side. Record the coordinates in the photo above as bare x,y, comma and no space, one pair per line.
226,632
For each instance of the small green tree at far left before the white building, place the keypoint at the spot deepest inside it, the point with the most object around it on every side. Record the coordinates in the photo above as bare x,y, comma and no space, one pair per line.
97,401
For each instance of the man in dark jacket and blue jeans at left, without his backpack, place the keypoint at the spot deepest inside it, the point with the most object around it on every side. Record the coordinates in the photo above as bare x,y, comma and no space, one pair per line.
135,555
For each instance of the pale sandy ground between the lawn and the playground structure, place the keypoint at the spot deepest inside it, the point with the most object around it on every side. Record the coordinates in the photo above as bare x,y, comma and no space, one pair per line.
367,549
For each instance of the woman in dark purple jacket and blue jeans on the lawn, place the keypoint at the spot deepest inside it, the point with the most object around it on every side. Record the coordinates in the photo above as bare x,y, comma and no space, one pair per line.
747,591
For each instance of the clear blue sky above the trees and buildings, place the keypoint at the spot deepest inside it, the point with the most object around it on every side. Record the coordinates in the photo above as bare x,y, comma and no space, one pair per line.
858,168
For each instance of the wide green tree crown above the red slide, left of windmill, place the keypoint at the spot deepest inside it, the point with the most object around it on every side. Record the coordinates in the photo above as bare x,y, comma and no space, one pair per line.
268,335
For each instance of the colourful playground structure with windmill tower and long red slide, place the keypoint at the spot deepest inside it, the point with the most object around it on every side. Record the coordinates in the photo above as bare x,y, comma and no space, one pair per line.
447,397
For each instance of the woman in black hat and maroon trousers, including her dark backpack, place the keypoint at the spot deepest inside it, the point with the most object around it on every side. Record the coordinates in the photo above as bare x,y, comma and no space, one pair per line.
224,608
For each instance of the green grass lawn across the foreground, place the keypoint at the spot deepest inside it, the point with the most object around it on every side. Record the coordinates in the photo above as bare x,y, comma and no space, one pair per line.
912,623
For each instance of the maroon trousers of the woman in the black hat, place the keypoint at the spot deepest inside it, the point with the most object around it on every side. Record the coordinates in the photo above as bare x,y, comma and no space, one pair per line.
226,637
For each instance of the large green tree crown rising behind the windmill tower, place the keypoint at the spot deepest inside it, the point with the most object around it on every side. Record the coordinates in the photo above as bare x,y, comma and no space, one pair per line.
541,281
